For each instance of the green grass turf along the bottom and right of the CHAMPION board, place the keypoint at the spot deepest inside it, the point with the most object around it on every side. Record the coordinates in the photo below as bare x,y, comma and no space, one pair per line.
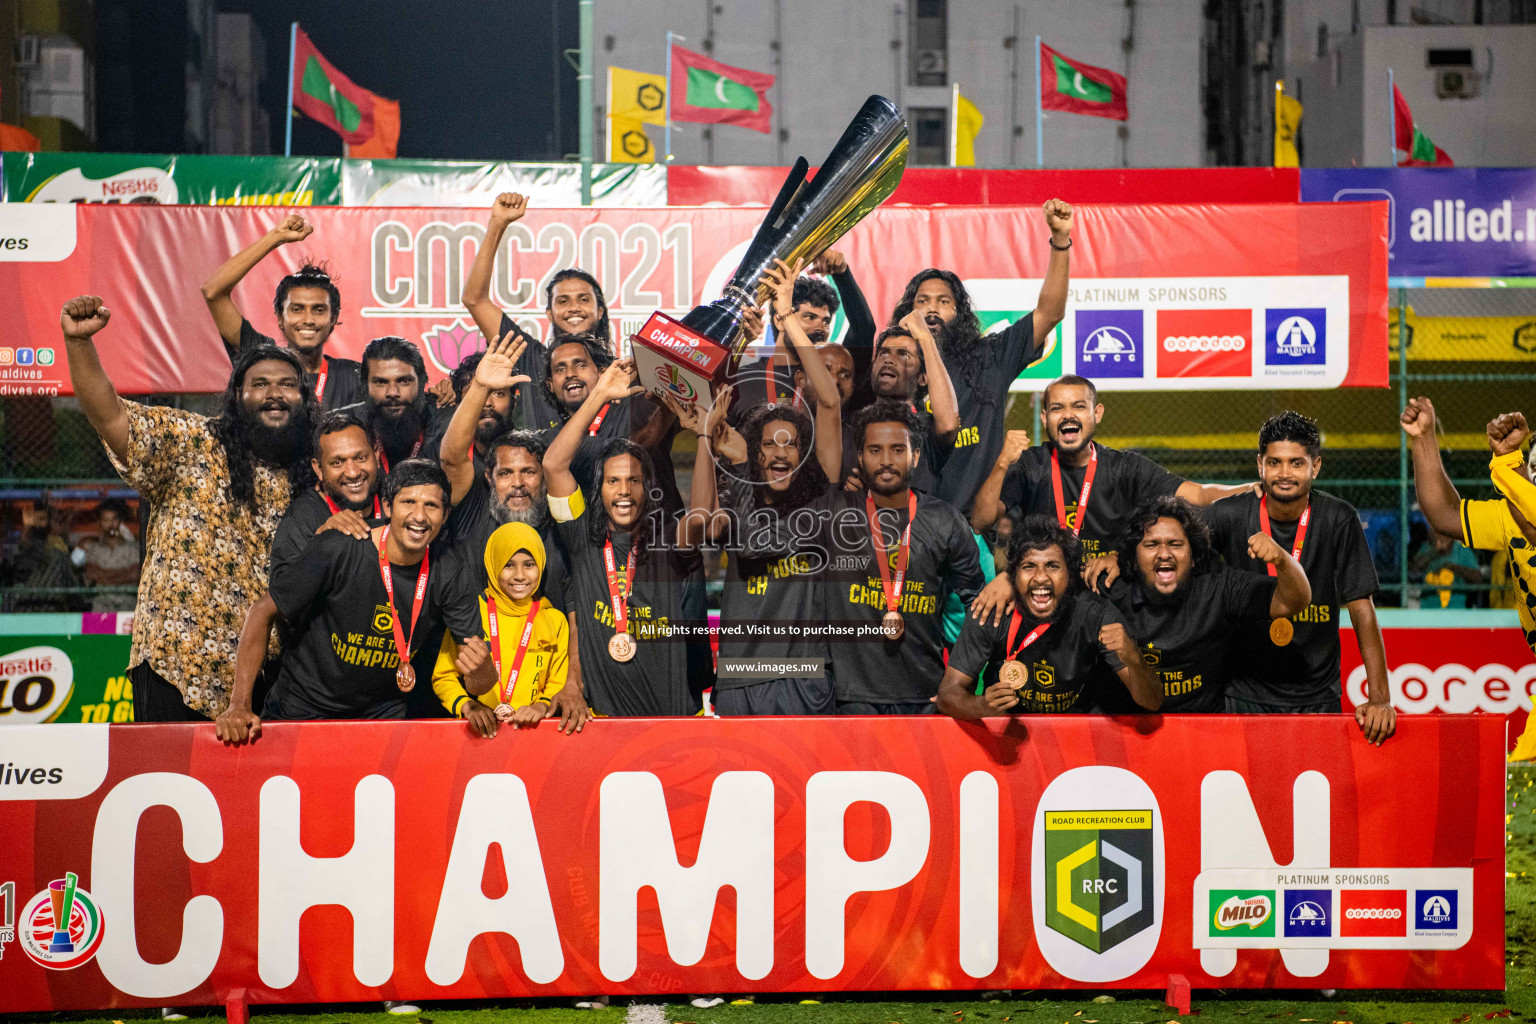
1518,1003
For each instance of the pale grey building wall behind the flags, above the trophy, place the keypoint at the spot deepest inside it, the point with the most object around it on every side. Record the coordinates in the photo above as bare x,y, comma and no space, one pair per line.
838,53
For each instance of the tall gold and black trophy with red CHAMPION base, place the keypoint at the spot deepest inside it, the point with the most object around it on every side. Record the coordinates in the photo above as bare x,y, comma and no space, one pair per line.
703,351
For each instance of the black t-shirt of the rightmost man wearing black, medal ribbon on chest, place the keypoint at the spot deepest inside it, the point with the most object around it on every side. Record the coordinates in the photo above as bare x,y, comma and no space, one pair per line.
1337,561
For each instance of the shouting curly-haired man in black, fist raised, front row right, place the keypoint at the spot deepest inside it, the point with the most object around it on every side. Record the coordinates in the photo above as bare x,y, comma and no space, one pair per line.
1187,609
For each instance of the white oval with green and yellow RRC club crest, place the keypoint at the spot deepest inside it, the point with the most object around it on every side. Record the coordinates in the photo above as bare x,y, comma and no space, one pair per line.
1099,867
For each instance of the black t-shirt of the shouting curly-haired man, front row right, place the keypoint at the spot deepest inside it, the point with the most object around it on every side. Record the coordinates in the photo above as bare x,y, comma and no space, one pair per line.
1188,644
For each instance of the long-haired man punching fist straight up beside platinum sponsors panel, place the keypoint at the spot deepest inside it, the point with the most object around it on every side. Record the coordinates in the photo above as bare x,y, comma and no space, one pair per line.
984,368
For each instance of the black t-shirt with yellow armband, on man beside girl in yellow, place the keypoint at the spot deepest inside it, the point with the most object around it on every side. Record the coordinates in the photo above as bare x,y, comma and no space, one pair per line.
655,682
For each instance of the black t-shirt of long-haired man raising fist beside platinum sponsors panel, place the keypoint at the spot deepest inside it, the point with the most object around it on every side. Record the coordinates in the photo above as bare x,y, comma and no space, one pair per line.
984,411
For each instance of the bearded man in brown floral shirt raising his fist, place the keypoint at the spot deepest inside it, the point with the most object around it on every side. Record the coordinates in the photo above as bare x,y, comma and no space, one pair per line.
216,491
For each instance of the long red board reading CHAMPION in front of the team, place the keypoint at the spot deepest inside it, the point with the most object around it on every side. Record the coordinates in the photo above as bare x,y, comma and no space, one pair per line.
411,860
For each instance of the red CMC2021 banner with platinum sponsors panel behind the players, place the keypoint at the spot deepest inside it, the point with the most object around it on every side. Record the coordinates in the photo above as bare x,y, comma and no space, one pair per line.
1164,297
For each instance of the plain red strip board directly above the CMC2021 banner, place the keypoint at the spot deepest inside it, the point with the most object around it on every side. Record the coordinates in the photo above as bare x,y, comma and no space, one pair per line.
975,187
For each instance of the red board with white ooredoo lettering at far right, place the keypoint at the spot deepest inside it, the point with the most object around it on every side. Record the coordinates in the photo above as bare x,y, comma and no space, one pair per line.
1451,672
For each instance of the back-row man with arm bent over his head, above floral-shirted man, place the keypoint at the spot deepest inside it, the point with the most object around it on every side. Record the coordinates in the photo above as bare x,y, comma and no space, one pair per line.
308,309
